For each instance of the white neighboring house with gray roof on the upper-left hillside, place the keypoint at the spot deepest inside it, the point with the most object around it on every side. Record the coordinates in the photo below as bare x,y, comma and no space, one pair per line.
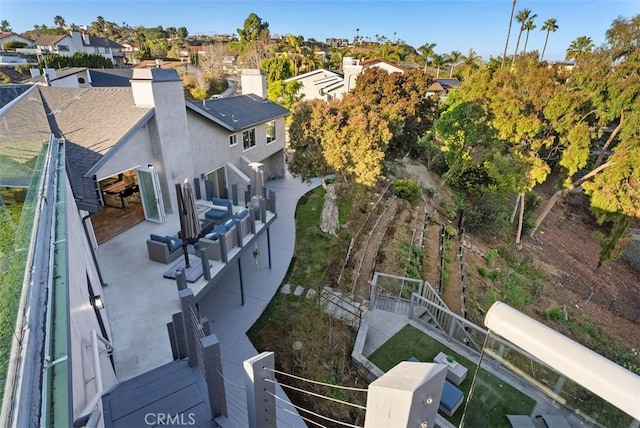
68,44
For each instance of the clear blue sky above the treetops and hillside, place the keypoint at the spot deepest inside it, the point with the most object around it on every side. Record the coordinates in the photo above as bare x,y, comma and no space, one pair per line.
451,24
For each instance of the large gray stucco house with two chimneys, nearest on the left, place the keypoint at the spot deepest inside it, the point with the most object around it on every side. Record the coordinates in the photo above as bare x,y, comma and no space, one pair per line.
75,140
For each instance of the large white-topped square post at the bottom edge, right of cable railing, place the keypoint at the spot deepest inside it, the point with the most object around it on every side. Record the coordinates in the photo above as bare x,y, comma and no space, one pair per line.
408,395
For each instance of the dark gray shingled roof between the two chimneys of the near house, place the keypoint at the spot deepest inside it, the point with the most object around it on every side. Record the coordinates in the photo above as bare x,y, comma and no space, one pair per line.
240,112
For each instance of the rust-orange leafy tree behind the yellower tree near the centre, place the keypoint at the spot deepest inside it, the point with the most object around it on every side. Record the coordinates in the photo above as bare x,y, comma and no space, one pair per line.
399,98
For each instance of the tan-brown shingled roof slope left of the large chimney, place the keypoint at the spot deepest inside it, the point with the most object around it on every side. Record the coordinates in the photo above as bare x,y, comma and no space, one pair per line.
92,121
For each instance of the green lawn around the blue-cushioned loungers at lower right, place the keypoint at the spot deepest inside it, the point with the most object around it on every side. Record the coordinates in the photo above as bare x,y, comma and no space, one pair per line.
493,399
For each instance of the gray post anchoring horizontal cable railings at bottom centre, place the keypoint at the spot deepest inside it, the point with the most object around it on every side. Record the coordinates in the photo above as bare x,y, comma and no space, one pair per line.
261,390
